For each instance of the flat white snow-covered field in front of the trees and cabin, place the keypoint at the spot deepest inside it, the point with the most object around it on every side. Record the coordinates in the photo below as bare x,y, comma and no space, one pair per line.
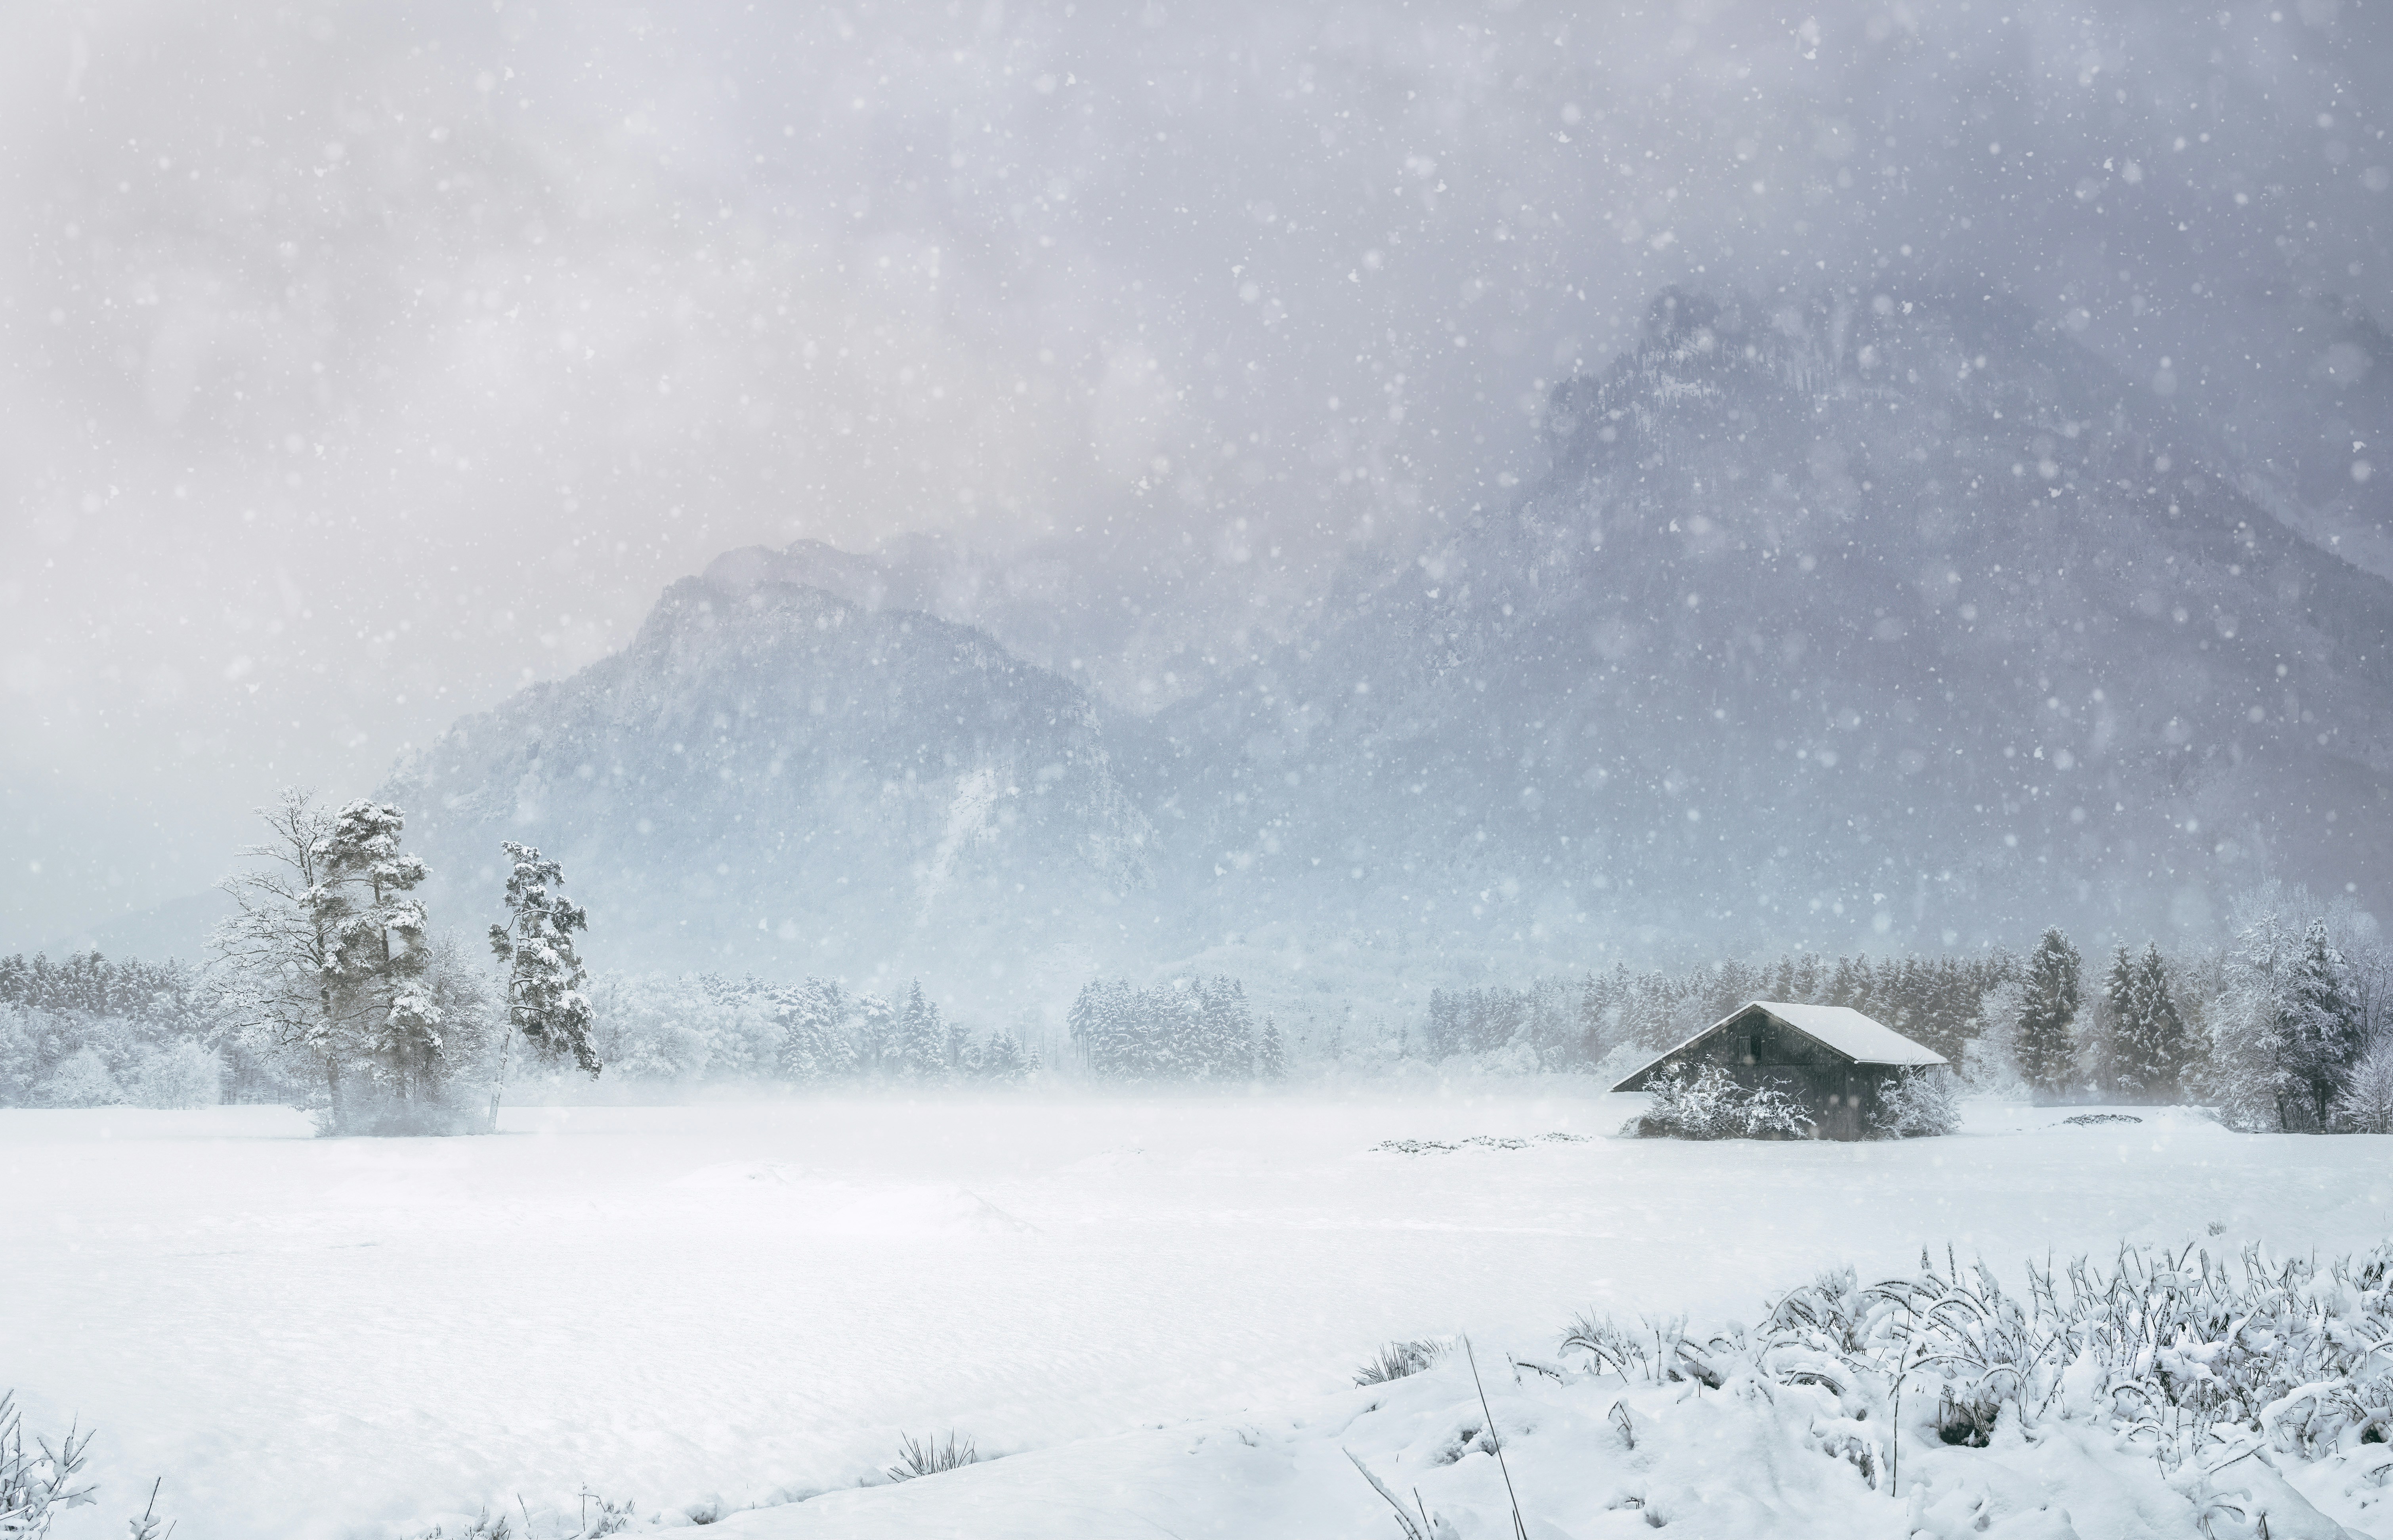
346,1338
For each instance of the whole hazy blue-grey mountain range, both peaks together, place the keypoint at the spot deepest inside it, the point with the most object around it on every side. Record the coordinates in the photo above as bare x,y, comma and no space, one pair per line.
1834,623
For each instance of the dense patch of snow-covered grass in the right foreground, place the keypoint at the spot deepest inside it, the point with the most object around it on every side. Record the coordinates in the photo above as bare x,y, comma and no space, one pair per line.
2191,1359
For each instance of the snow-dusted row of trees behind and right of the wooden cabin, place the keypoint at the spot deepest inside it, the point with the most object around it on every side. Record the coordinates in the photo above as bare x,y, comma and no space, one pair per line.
2282,1027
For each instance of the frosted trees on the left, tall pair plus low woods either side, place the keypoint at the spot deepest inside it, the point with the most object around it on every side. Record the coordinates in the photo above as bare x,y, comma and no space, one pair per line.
331,991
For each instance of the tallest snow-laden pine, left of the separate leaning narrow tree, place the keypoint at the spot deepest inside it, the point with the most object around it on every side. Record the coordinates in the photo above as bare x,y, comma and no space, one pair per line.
384,962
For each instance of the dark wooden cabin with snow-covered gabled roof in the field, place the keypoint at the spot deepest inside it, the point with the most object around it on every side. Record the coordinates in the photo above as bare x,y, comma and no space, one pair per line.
1829,1056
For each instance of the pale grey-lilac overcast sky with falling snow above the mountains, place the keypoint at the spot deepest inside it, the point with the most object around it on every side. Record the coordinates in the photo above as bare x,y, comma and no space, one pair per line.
360,365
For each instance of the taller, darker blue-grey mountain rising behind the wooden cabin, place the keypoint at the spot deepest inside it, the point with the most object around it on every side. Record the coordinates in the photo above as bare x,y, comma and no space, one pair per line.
1832,623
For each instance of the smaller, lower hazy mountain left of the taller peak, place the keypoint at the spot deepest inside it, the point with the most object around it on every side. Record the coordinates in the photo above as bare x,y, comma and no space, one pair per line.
772,776
